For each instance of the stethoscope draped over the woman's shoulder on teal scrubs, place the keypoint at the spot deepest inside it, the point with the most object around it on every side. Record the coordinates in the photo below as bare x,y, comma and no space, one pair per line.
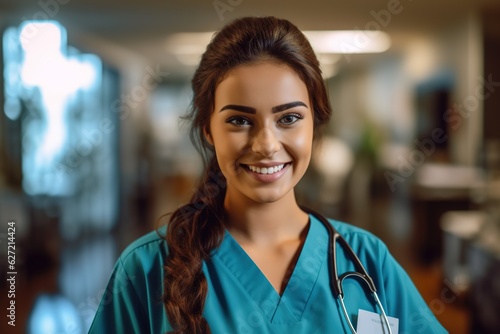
335,280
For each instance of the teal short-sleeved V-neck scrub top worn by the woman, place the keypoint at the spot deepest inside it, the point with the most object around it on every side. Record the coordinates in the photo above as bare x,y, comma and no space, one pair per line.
241,300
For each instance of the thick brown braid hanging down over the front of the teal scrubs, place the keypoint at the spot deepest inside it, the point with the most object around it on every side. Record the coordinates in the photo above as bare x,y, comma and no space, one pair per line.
194,230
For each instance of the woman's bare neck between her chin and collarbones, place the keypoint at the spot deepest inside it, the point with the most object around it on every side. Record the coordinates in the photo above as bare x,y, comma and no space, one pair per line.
250,222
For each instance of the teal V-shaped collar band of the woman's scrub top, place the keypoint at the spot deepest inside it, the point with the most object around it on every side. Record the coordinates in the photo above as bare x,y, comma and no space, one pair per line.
290,306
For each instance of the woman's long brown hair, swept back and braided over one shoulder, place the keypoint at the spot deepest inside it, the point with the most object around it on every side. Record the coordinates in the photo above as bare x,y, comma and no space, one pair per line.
196,228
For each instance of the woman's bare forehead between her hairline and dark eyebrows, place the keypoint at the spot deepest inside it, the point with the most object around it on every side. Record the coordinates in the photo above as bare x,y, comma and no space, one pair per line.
261,84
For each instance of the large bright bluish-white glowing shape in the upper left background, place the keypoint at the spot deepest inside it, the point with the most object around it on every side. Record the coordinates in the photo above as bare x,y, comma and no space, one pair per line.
41,70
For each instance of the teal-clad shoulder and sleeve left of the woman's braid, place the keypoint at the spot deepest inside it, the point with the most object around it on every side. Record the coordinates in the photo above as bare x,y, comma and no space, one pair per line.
132,299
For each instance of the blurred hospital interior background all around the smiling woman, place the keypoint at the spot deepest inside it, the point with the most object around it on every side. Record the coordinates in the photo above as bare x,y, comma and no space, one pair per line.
92,151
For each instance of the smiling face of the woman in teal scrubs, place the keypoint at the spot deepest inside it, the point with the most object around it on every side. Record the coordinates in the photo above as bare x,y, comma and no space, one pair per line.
262,131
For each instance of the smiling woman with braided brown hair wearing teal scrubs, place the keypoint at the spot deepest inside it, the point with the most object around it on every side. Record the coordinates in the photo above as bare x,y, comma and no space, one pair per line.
243,256
